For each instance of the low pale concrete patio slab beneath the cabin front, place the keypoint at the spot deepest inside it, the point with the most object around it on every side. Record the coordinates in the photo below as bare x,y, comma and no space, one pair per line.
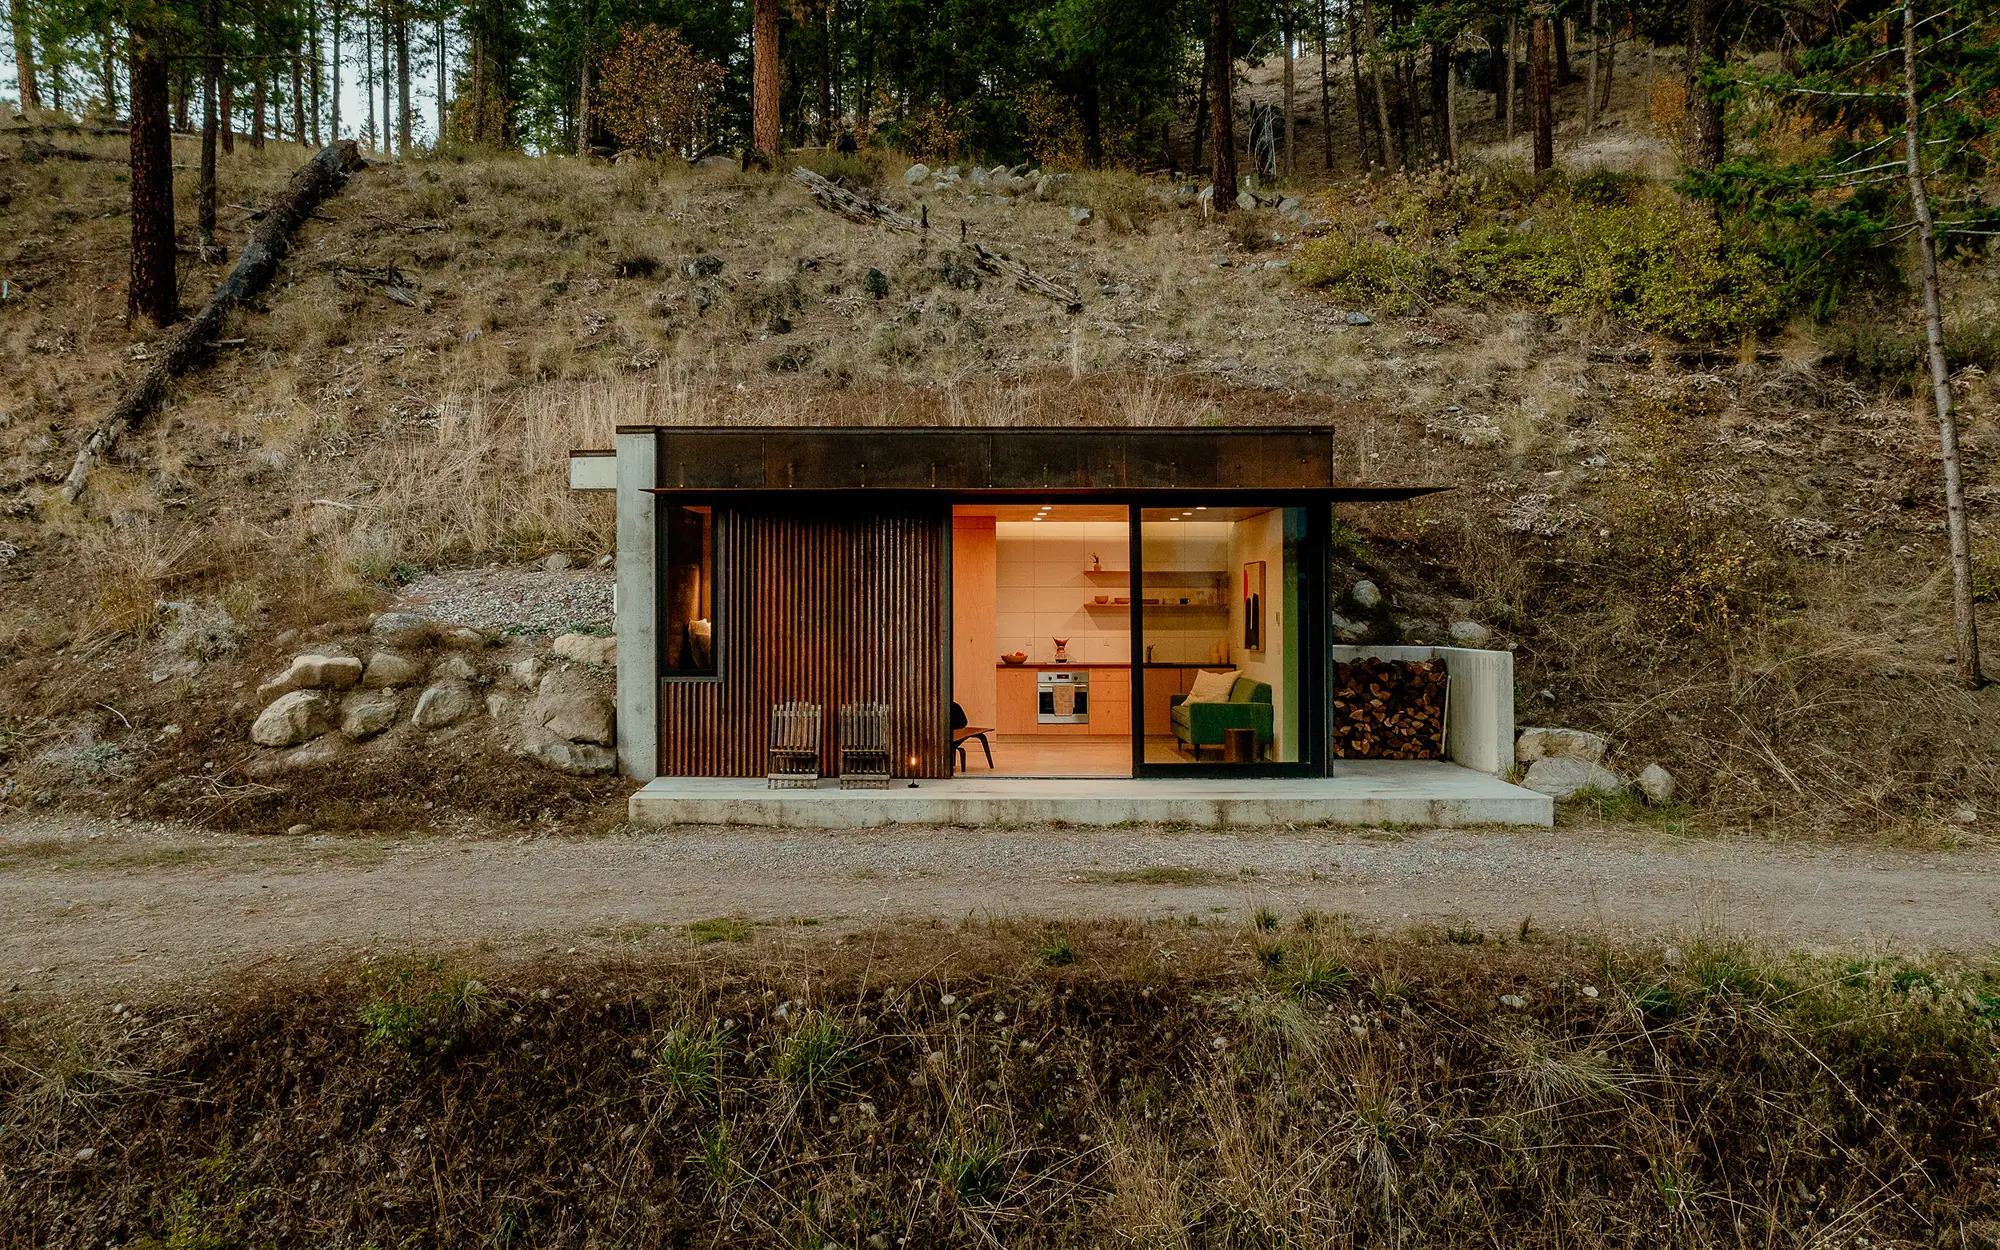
1361,793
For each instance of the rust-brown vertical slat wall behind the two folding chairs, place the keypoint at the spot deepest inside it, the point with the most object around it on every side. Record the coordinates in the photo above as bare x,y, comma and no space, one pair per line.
821,609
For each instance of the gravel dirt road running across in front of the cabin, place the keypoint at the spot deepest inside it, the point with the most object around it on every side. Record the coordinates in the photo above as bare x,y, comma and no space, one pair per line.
91,905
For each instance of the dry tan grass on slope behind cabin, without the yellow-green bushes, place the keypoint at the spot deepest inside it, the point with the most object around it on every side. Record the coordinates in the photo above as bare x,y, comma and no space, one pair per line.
351,439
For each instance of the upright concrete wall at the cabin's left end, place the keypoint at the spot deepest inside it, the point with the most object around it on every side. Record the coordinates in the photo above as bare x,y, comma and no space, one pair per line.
639,609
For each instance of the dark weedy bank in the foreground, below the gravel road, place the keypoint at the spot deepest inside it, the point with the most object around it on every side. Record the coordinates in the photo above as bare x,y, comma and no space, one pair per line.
1165,1089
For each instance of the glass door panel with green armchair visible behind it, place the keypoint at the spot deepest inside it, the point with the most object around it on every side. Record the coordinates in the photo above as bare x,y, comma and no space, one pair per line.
1227,649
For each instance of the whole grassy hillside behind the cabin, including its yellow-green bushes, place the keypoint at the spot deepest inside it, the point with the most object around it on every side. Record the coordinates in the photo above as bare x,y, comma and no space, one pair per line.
1723,551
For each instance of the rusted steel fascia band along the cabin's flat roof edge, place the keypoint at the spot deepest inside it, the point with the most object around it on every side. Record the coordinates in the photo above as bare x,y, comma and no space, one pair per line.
929,461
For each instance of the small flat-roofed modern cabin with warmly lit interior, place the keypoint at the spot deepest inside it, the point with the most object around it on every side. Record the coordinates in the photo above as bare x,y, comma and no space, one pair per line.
1061,603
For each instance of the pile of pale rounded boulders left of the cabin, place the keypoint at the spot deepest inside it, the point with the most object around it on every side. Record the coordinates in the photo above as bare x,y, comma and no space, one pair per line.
427,683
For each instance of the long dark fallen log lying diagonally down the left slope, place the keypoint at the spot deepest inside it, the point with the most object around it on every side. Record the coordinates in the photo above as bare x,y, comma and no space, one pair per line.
255,267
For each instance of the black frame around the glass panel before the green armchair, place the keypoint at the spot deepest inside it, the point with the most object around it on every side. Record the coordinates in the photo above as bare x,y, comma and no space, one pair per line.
1315,555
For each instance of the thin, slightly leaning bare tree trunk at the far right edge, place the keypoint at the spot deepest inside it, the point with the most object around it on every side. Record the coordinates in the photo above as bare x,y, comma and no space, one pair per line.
1941,381
